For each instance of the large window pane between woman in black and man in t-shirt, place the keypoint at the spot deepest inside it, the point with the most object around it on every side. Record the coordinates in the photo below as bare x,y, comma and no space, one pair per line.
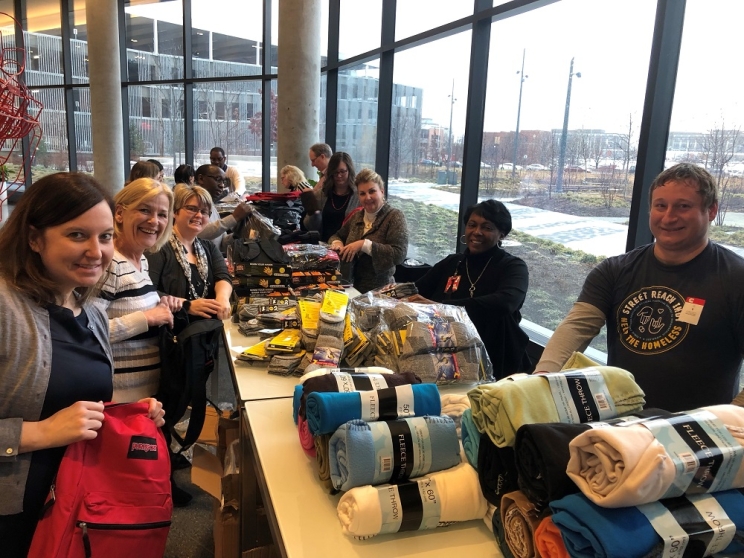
560,140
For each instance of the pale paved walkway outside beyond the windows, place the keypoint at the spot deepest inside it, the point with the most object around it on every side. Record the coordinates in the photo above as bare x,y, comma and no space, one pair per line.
597,236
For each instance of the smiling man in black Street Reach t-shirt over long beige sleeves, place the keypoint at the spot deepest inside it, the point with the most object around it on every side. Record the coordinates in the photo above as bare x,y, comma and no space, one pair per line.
674,309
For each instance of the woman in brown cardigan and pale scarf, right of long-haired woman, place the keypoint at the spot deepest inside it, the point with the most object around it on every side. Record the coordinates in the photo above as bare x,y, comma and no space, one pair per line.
372,241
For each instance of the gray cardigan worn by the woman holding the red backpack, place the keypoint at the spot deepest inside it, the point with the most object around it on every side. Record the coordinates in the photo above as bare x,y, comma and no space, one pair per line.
25,366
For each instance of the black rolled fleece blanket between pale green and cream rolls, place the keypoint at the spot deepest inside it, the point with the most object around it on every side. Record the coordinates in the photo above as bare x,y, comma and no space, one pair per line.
542,455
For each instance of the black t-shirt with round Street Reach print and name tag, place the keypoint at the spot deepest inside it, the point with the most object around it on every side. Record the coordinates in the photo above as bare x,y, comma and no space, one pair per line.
678,329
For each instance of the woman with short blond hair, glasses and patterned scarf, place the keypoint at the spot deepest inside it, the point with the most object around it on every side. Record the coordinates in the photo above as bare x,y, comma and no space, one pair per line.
190,268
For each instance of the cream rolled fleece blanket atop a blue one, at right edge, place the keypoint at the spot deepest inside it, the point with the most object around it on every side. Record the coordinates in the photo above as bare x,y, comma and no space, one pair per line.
628,466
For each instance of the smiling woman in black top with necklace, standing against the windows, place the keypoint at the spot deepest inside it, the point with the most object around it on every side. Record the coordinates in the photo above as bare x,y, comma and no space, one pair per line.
489,283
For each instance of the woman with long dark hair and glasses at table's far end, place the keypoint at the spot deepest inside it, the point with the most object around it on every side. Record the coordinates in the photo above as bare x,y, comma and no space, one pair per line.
338,197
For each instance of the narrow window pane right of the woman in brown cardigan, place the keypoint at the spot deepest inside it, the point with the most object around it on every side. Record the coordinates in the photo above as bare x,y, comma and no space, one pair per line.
427,127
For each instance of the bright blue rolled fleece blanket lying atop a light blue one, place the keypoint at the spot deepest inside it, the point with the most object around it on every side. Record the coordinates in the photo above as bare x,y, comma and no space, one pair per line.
326,411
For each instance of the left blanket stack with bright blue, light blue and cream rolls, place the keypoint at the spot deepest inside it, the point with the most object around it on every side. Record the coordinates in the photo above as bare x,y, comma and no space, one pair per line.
382,434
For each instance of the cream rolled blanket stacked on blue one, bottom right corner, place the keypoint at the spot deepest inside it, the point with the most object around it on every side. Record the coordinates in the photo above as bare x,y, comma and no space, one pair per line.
680,475
